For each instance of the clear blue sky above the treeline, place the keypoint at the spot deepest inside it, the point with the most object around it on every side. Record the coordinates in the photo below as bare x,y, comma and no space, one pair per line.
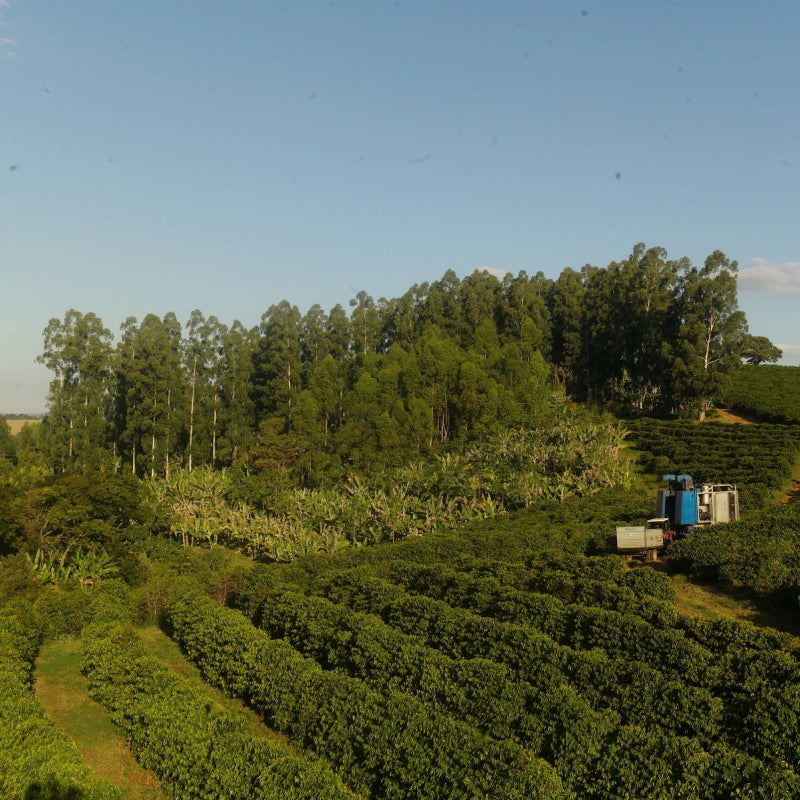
166,156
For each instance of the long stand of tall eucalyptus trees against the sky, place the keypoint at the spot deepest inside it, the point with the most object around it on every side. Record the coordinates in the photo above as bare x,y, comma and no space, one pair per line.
316,396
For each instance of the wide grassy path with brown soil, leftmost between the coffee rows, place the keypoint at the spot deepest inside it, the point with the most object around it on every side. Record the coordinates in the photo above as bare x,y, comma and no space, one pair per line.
61,689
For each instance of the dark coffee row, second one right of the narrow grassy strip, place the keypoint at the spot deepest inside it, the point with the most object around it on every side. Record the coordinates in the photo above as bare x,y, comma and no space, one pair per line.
555,722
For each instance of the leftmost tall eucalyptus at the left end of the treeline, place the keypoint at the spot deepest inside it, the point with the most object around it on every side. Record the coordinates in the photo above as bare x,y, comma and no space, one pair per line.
78,350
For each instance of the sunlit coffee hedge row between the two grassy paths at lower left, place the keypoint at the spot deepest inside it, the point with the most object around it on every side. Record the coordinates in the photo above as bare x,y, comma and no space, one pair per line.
199,749
